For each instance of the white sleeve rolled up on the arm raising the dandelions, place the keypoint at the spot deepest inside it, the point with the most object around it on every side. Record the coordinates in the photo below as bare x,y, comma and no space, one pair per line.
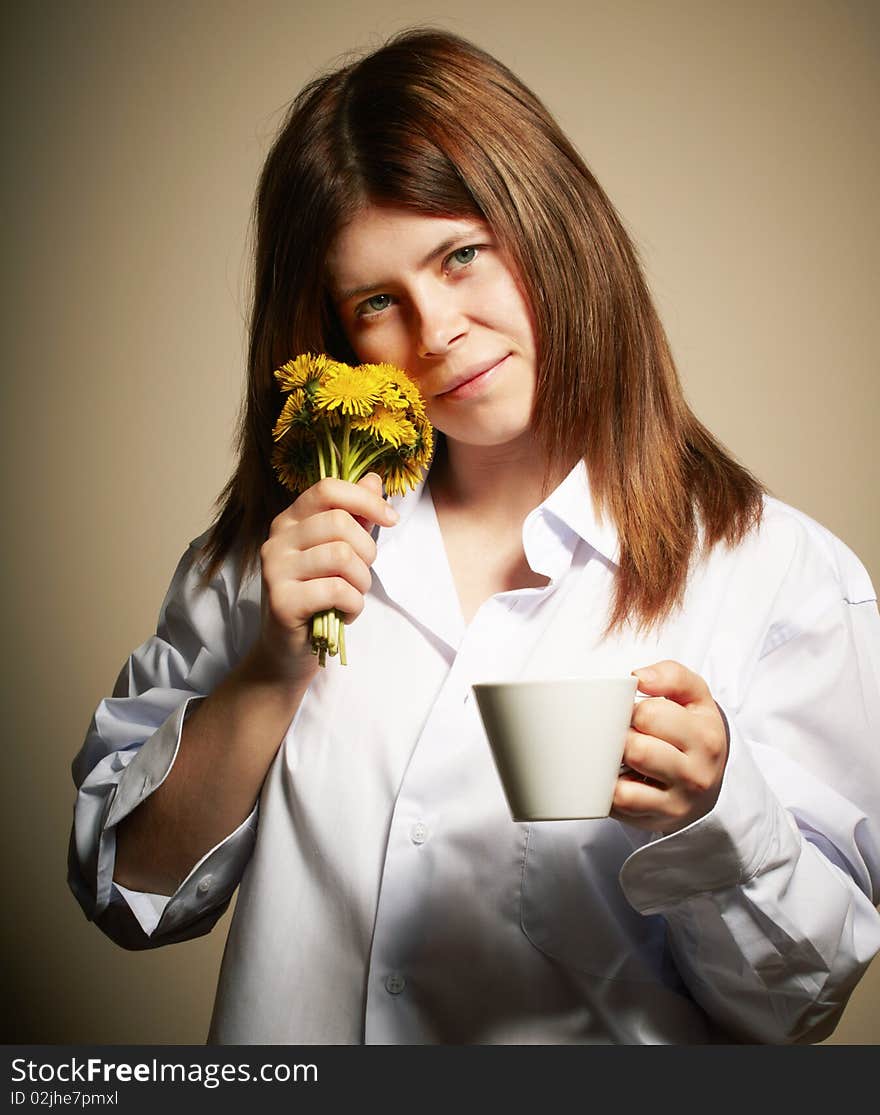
131,746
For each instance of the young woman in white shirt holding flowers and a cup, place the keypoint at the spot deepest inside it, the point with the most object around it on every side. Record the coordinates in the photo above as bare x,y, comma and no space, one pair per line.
421,207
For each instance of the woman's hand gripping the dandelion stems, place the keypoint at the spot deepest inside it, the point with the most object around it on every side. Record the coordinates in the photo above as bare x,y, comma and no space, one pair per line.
317,557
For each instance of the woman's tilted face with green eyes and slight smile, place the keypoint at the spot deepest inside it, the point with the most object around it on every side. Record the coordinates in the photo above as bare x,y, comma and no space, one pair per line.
438,297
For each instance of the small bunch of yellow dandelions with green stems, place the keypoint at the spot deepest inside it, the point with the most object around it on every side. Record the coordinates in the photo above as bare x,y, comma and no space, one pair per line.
344,421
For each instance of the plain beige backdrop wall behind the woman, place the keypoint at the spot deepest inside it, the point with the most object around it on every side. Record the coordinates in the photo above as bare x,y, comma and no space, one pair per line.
740,143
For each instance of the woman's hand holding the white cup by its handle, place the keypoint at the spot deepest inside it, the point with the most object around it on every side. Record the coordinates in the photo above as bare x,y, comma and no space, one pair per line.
676,752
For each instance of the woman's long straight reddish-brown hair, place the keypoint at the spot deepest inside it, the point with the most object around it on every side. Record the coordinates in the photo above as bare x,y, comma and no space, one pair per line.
433,123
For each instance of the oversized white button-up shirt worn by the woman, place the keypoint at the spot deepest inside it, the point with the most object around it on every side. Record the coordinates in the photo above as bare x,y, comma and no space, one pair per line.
388,896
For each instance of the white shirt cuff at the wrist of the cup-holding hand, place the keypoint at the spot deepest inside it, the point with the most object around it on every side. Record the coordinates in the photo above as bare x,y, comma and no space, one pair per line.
748,832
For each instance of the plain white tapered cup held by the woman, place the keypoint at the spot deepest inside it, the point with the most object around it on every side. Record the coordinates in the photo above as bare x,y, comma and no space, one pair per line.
558,745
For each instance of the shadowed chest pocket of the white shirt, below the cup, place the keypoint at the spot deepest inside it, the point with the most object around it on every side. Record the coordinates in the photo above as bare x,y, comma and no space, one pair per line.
574,910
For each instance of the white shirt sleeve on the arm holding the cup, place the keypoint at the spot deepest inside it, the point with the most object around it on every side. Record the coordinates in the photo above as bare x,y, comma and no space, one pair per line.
771,898
